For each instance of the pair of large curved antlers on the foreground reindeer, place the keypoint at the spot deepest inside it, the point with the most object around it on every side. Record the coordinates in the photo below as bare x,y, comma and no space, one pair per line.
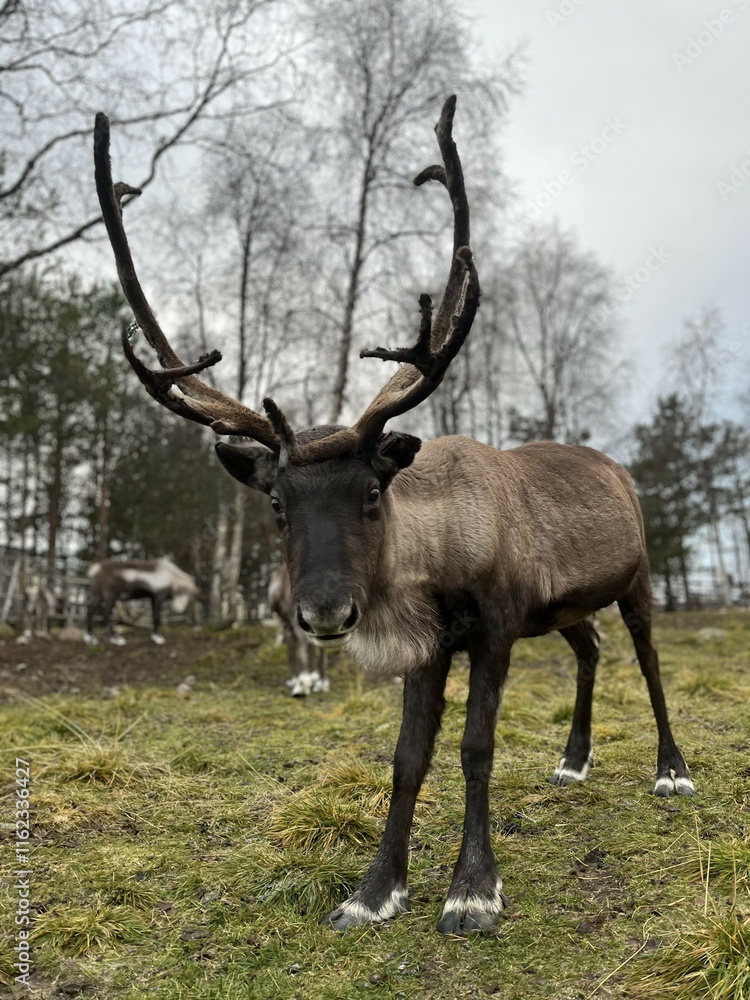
425,364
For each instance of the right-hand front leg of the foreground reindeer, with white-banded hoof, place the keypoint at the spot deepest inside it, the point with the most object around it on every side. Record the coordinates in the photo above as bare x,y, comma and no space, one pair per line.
475,899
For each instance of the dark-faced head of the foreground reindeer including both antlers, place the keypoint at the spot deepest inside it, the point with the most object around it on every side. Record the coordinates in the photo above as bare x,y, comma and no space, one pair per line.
328,486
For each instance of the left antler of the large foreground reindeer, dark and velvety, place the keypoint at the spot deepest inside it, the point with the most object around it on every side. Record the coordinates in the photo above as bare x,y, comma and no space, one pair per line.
196,401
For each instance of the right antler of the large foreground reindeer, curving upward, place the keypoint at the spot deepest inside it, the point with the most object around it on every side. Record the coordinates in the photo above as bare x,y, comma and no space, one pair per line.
440,340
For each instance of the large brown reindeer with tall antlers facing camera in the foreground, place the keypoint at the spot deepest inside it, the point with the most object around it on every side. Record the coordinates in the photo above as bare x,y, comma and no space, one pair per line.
406,552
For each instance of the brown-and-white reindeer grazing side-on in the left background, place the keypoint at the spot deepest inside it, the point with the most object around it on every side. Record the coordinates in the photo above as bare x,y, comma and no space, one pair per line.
157,579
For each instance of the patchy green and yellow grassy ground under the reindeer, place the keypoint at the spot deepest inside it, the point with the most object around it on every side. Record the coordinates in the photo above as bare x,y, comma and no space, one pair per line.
187,847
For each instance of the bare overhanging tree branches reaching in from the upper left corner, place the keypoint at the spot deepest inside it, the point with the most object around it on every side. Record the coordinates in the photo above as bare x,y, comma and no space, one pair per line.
60,62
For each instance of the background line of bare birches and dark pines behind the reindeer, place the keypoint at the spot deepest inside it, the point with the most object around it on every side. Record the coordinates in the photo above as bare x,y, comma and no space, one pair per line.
278,222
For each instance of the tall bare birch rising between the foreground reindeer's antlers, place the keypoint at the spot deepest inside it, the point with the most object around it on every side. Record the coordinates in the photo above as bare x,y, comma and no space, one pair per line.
385,66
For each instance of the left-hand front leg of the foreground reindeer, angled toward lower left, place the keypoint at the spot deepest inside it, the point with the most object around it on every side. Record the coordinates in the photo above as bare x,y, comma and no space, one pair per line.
382,892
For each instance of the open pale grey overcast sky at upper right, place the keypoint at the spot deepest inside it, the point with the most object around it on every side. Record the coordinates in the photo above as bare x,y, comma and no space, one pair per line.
645,107
